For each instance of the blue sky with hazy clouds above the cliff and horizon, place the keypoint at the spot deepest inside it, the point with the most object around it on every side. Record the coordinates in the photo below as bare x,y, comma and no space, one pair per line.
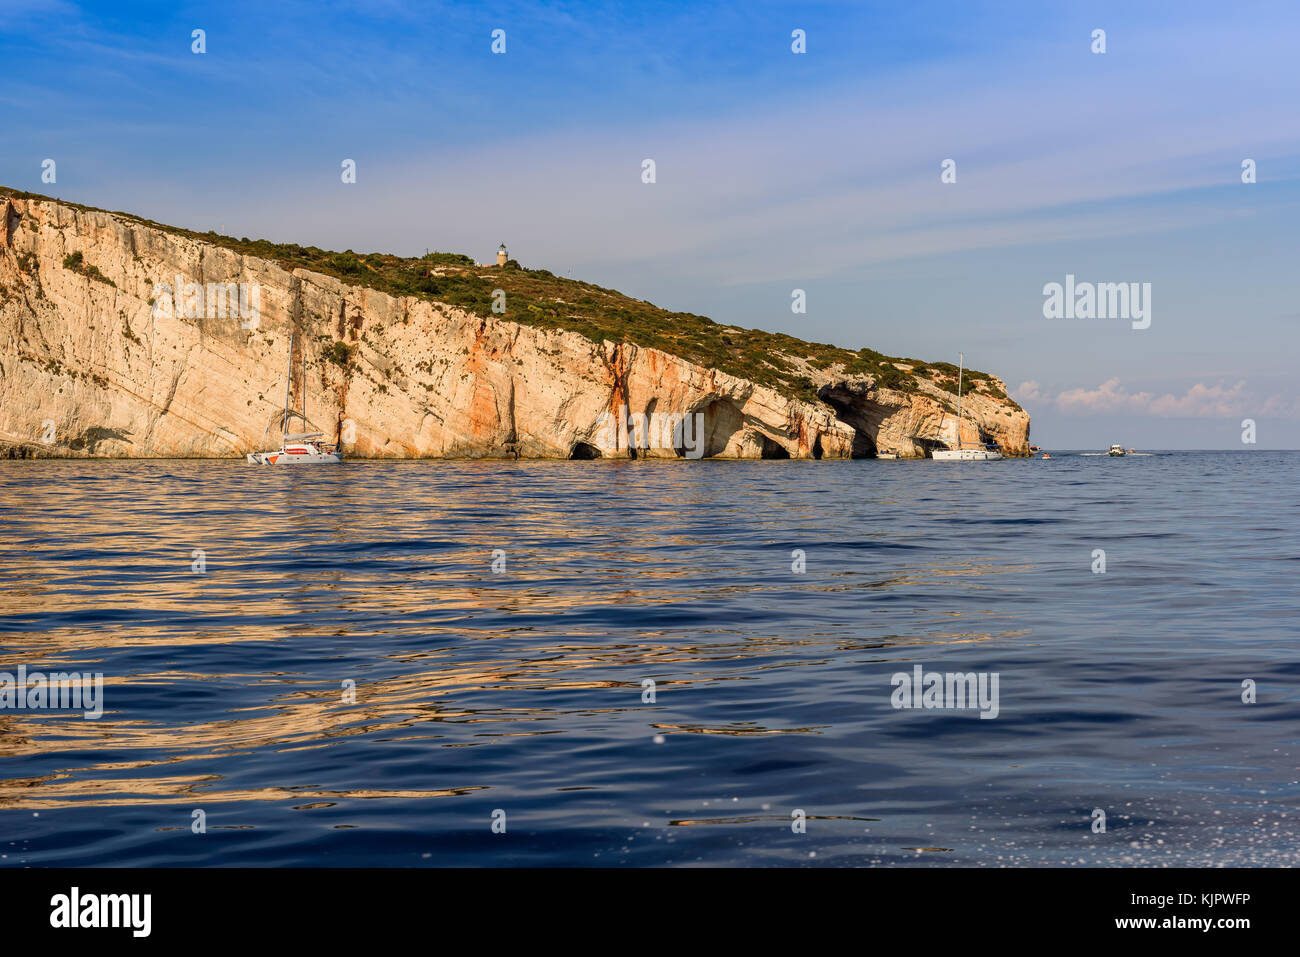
774,171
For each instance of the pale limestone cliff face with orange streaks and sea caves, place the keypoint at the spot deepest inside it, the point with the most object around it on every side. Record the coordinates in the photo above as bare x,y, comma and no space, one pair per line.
98,358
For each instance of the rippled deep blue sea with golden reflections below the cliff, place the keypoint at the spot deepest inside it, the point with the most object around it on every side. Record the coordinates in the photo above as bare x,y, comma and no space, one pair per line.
522,691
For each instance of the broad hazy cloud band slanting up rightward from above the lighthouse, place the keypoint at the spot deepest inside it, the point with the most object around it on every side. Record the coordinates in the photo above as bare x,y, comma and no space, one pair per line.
821,188
